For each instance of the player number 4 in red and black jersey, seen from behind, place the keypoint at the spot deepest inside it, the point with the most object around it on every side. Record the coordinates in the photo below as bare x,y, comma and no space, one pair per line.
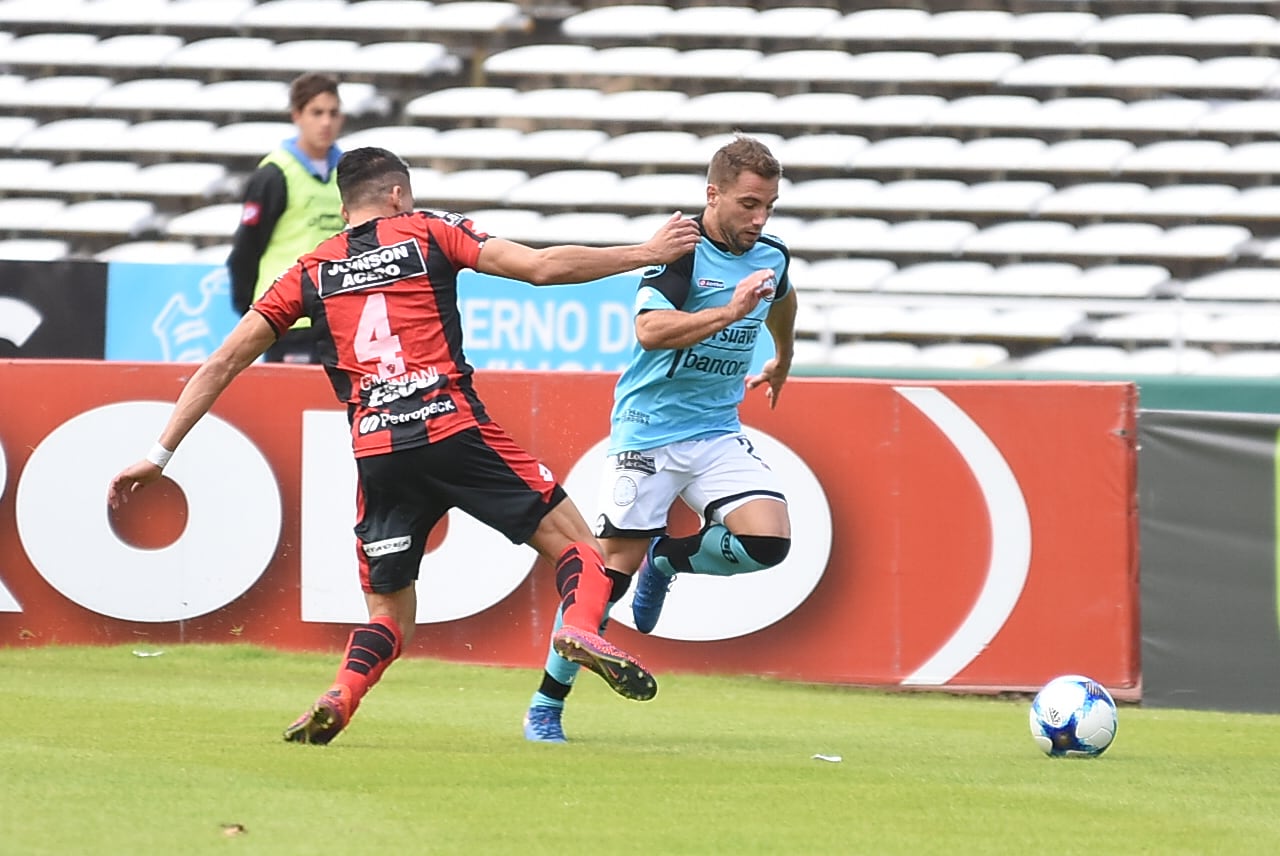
383,300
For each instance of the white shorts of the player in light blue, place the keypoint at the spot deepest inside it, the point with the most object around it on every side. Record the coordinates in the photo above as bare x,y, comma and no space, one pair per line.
714,477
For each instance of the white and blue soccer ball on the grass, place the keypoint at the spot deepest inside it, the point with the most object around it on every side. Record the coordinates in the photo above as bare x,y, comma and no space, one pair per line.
1073,716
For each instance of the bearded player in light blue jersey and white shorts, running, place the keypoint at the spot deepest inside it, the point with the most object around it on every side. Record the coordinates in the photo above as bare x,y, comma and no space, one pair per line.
675,425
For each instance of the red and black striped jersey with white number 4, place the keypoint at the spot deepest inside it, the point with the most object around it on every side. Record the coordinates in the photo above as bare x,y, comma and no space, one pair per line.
383,300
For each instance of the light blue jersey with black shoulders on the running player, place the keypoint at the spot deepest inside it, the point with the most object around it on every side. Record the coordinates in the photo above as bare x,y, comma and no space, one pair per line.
670,396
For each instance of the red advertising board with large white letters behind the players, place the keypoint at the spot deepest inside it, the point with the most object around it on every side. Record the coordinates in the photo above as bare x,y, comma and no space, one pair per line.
957,534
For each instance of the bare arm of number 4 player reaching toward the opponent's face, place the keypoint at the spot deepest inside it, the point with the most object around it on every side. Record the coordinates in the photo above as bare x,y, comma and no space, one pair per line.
572,264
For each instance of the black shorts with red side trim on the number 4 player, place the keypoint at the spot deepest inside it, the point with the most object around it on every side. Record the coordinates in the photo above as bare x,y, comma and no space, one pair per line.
404,495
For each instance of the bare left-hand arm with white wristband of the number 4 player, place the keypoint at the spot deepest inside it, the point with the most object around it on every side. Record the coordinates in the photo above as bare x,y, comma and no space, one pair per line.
245,345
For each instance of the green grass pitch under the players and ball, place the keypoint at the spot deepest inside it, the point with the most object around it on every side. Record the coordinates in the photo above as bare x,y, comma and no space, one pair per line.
103,752
